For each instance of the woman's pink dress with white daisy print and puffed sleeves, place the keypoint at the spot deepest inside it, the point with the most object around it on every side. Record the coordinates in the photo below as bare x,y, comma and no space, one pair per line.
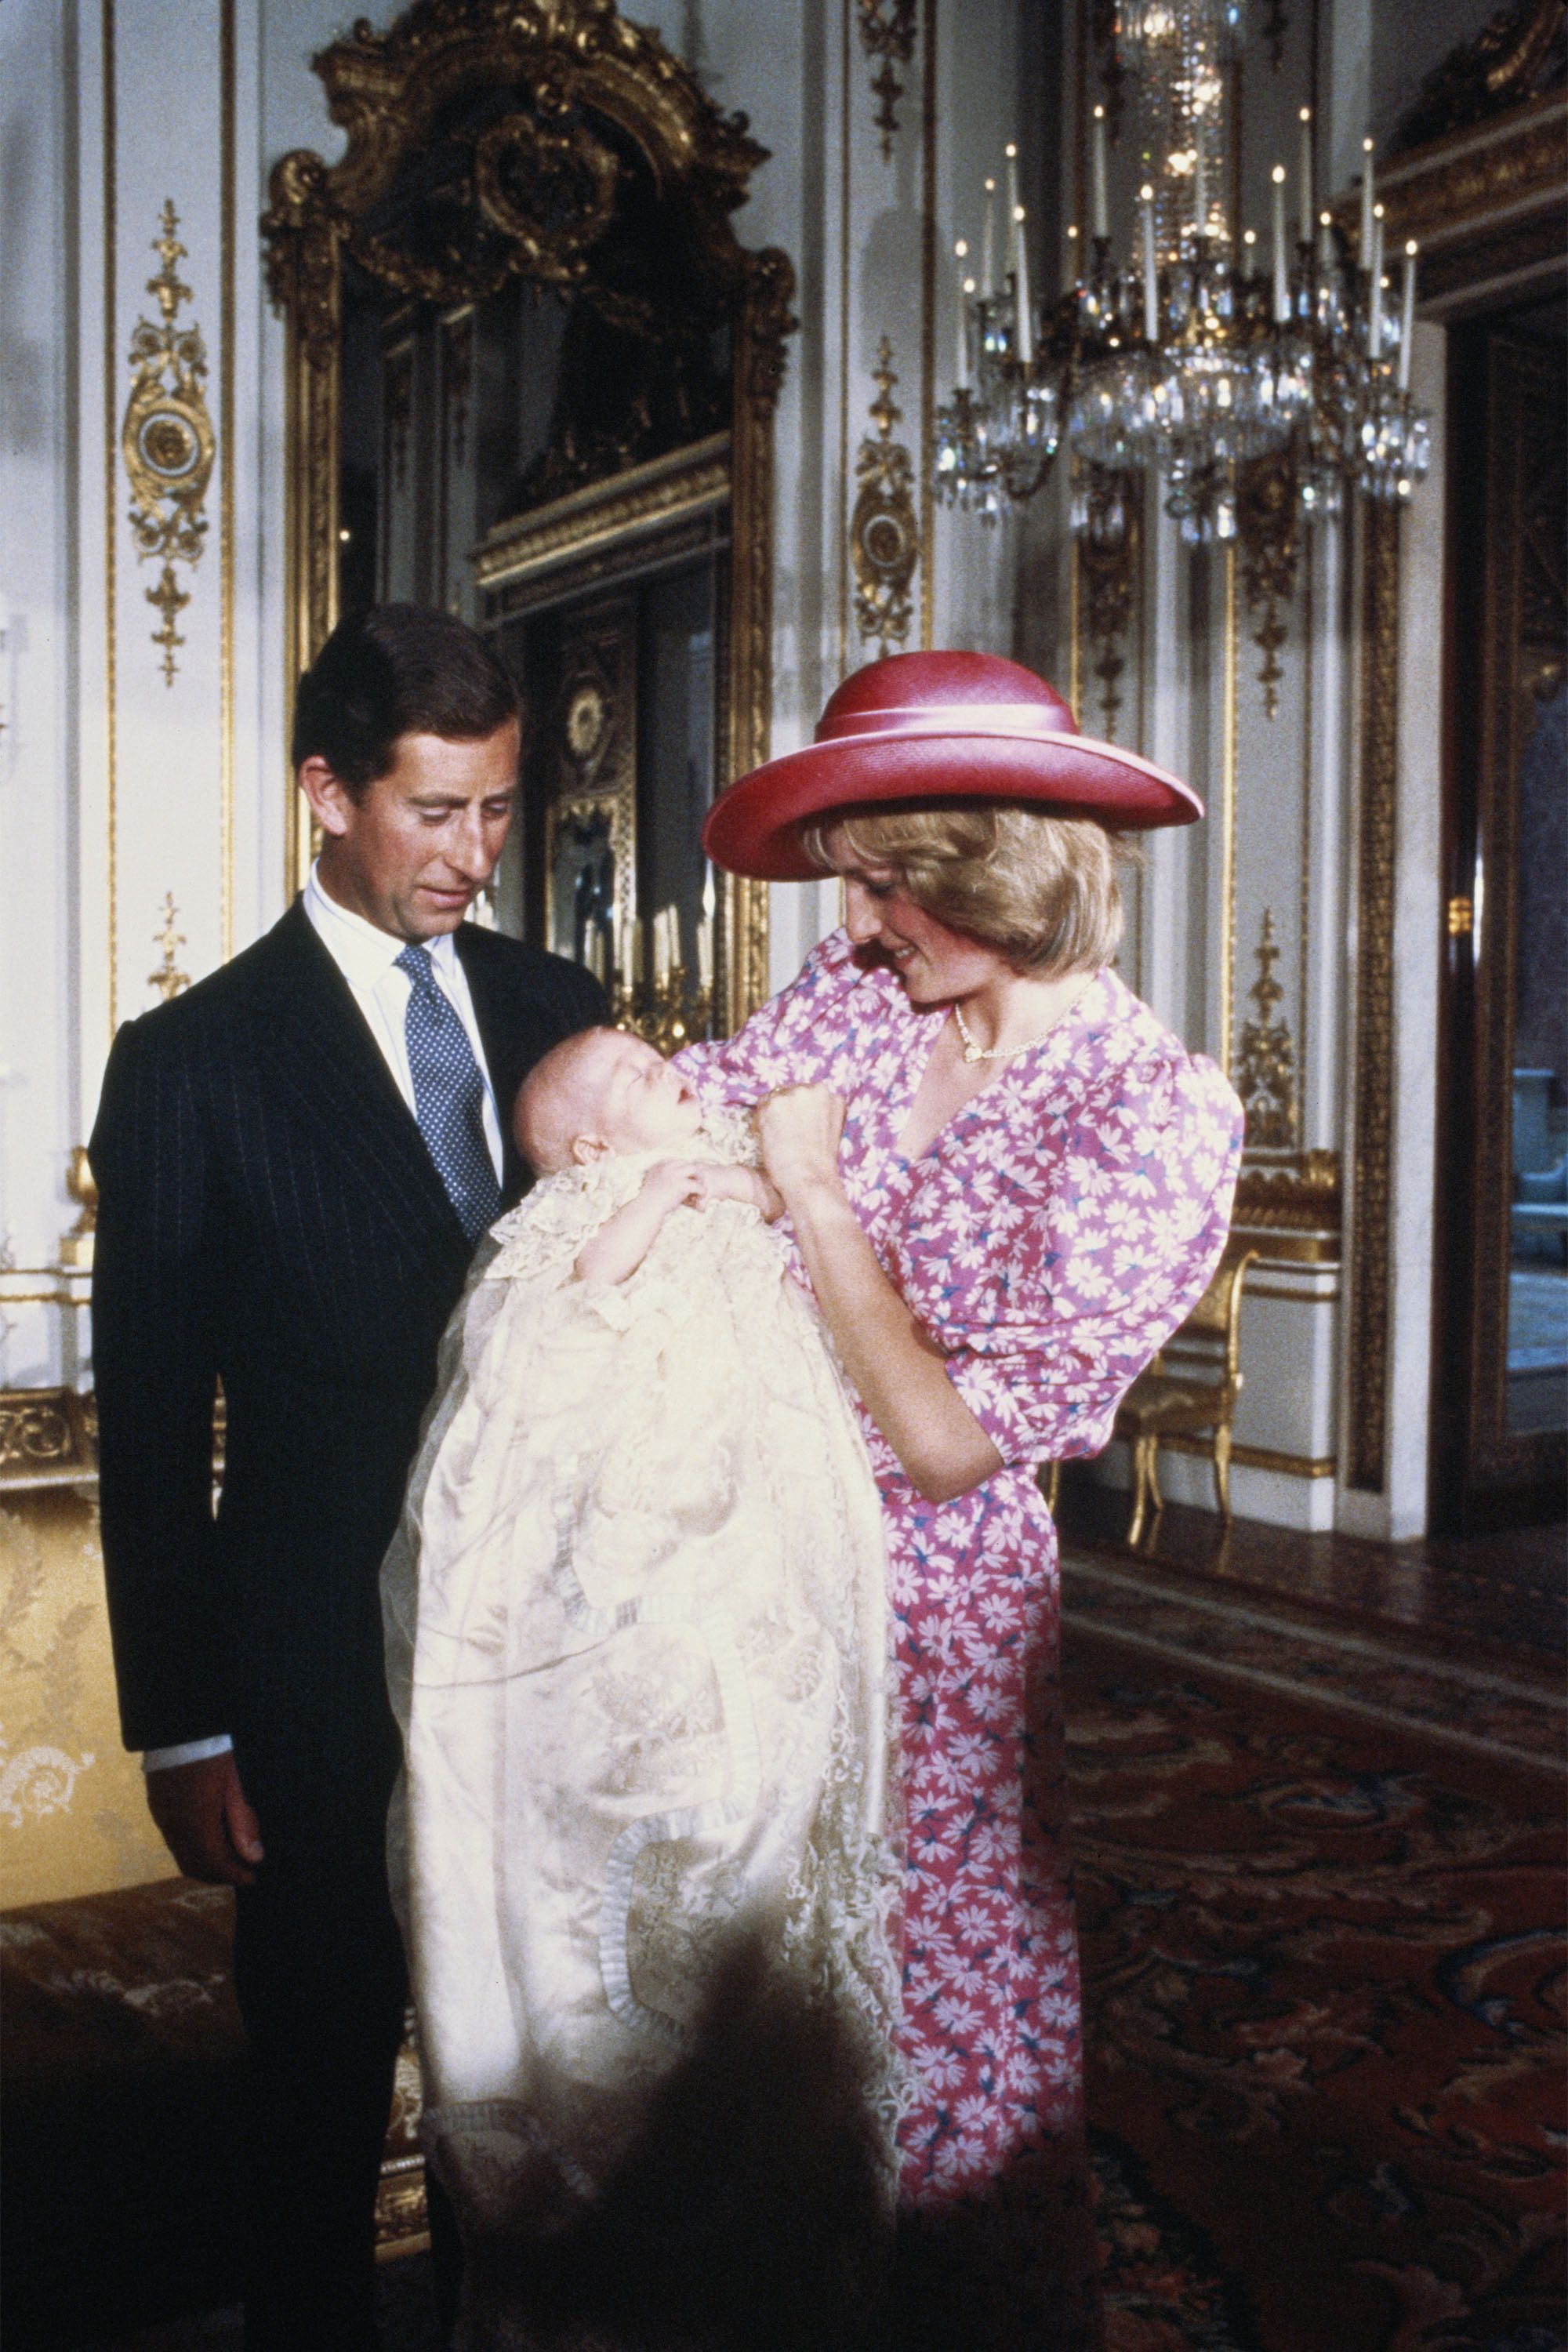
1050,1243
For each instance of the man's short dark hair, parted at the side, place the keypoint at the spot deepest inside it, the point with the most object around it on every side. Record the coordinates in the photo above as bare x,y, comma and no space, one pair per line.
391,671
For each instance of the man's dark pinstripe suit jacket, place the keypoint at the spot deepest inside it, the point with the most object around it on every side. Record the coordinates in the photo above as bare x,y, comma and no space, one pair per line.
269,1217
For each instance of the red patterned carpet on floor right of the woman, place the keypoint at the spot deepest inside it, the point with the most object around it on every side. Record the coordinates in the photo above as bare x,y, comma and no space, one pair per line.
1322,1906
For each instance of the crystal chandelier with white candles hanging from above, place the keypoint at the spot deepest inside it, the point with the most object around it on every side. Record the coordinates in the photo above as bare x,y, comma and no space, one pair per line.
1186,354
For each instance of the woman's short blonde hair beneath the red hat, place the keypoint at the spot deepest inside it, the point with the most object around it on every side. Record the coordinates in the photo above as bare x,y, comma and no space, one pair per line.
1040,890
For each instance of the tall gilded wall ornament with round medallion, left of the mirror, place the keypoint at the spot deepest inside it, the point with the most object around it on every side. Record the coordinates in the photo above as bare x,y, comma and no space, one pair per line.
168,441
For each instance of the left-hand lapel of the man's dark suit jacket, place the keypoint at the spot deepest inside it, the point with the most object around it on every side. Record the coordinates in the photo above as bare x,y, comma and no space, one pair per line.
326,1060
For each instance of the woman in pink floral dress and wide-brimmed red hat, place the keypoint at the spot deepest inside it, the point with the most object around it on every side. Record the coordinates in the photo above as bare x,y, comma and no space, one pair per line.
1007,1187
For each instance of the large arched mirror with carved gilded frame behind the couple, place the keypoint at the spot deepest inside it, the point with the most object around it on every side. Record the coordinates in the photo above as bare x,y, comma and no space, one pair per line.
532,377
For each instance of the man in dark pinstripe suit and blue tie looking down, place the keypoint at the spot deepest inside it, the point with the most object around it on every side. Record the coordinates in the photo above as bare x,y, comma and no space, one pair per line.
293,1165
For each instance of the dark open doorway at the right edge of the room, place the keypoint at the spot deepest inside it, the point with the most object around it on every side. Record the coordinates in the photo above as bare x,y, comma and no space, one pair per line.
1501,1361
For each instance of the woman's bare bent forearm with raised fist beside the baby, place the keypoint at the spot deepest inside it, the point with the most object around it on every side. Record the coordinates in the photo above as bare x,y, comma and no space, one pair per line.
894,1365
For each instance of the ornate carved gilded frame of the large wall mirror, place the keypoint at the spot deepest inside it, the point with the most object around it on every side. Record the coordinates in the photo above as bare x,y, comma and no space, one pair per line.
387,91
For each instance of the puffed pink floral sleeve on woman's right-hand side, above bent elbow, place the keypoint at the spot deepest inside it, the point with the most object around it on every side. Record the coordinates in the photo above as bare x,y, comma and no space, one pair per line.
1092,1283
